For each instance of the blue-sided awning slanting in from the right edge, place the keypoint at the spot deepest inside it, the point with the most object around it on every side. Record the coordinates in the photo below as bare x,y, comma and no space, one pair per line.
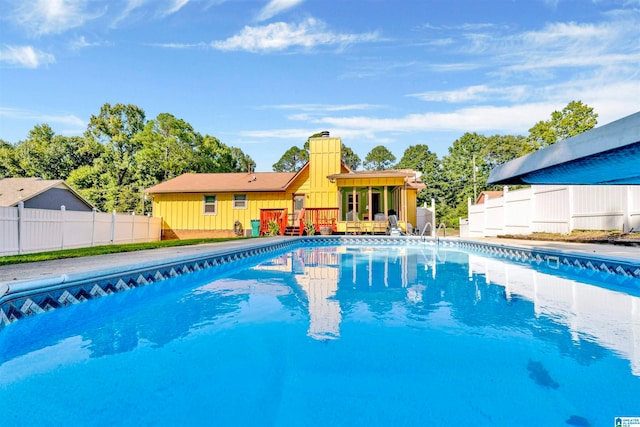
606,155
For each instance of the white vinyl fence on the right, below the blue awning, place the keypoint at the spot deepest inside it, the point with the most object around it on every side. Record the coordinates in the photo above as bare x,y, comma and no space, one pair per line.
556,209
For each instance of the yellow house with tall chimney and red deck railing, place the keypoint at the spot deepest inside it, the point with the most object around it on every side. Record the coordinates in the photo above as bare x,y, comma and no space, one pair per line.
324,195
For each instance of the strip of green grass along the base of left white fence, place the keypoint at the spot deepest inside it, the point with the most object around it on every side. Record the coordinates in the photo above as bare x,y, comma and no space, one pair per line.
101,250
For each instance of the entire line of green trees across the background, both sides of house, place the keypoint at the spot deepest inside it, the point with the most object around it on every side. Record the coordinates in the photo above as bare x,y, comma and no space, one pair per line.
121,153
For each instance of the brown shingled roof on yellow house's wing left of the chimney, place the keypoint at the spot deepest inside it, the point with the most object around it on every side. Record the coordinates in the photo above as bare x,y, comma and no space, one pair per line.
224,182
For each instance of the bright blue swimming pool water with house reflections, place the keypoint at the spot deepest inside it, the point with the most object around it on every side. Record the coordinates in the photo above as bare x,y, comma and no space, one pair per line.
325,335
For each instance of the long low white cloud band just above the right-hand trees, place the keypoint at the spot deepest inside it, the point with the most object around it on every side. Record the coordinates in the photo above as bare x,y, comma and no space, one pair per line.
611,99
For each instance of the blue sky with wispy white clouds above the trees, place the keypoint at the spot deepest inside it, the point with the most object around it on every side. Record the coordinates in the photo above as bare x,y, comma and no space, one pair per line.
263,75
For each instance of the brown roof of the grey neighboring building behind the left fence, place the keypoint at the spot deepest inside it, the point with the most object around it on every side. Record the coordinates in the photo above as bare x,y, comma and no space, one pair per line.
15,190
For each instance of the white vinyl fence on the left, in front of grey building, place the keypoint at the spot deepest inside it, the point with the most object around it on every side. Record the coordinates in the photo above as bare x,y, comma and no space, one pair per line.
25,230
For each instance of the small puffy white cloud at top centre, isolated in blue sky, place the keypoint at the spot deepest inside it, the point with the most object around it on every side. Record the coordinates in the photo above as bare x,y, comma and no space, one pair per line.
281,36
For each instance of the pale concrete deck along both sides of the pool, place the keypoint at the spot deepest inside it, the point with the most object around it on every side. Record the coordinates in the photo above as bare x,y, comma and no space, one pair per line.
126,260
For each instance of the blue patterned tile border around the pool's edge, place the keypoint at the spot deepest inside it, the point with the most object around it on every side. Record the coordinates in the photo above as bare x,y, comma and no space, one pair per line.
27,298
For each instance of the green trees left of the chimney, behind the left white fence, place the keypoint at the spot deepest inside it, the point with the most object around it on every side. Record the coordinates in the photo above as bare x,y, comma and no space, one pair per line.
120,154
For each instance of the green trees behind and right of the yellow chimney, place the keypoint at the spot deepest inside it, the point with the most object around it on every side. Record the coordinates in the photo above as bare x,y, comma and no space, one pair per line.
452,179
